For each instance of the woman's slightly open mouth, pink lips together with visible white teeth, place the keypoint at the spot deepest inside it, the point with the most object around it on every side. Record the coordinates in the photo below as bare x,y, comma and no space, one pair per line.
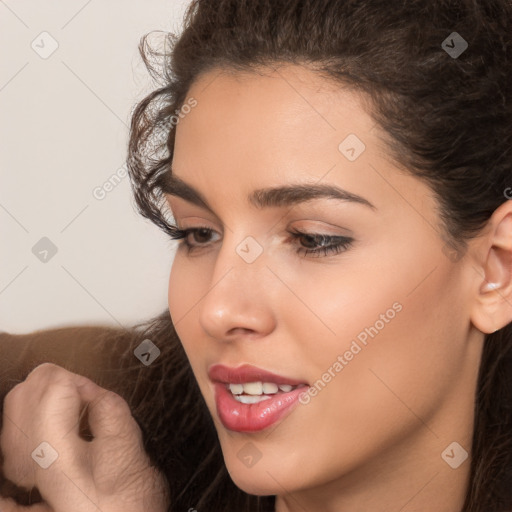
250,399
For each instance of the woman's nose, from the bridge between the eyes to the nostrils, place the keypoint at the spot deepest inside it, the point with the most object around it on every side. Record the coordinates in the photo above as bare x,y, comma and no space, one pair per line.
239,301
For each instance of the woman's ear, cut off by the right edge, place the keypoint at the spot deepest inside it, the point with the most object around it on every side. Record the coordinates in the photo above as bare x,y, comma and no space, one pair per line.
492,308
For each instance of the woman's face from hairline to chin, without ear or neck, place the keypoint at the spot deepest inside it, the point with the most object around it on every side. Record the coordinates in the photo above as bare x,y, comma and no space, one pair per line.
380,328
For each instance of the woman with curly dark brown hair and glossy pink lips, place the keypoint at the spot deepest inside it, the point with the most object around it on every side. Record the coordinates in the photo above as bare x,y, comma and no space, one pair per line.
341,297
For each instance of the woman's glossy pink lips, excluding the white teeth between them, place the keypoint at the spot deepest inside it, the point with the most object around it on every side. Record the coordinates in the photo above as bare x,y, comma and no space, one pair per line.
241,417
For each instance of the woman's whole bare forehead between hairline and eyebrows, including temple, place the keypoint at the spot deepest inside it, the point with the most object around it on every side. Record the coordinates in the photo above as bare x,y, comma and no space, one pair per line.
250,131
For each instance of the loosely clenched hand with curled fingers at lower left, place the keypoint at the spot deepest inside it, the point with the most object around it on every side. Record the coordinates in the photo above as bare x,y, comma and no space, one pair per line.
110,473
